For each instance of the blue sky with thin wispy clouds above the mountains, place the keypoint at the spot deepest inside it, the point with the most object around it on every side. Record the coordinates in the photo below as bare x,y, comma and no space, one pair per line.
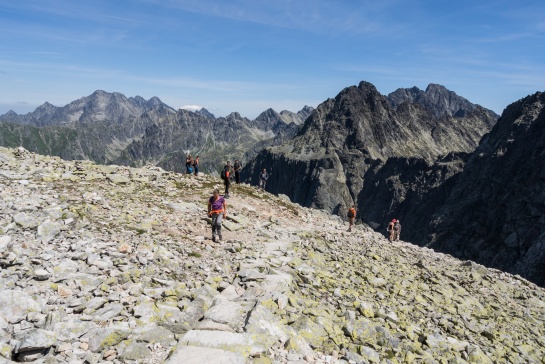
249,55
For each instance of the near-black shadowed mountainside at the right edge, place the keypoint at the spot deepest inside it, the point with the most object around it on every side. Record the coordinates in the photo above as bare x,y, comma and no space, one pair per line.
495,212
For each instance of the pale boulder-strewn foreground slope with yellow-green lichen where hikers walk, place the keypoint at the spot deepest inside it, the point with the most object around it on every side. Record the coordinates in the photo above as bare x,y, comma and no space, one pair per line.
107,264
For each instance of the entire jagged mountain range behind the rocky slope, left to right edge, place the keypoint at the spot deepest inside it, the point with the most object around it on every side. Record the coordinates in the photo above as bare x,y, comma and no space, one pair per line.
461,179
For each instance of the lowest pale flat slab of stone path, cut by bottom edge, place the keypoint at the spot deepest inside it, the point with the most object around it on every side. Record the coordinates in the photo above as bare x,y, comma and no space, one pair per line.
199,355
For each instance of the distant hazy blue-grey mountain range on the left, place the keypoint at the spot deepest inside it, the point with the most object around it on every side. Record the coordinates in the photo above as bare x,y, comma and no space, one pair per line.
109,128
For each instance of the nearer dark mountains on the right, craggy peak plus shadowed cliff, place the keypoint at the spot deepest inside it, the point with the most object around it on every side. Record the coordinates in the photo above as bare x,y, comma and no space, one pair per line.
458,181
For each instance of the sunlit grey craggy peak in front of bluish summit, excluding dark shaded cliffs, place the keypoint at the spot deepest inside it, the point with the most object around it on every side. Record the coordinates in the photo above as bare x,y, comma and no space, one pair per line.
325,165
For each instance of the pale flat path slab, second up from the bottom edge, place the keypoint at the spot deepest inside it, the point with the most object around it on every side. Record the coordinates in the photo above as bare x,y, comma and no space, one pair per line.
242,344
